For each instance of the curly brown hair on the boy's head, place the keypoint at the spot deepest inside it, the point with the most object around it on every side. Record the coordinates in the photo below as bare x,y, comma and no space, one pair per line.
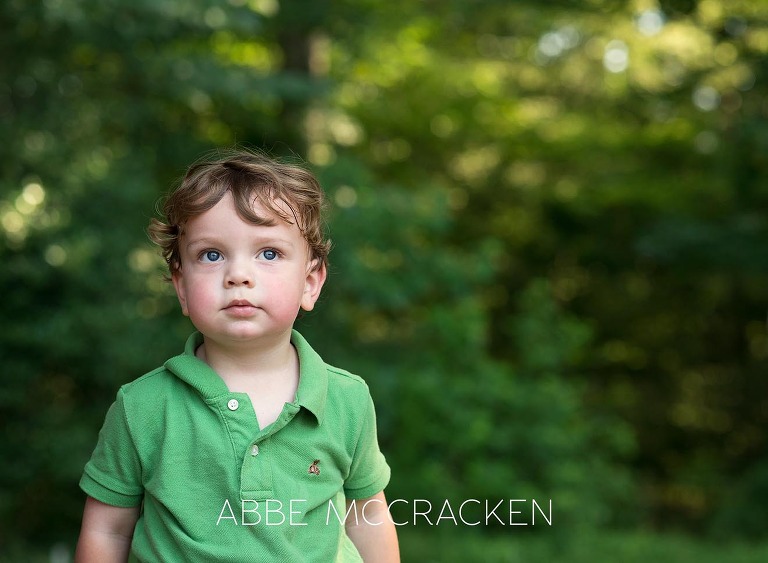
251,177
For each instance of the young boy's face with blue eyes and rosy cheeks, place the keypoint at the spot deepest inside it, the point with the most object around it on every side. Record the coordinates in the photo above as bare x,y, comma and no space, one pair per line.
241,282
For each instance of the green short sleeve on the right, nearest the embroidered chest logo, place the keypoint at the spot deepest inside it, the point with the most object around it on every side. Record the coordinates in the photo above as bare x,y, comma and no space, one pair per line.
369,473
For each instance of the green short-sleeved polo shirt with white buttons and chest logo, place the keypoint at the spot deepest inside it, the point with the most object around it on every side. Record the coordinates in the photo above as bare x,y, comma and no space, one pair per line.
217,487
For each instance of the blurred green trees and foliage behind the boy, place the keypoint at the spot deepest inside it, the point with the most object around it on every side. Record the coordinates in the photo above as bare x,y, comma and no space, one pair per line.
549,224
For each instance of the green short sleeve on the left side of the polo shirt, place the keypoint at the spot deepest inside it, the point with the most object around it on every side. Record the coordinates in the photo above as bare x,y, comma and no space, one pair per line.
113,474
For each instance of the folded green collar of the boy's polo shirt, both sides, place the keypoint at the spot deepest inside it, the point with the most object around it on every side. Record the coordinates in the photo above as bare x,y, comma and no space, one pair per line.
313,377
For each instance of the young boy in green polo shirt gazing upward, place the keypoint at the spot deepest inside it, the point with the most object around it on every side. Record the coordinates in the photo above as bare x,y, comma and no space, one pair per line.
246,447
